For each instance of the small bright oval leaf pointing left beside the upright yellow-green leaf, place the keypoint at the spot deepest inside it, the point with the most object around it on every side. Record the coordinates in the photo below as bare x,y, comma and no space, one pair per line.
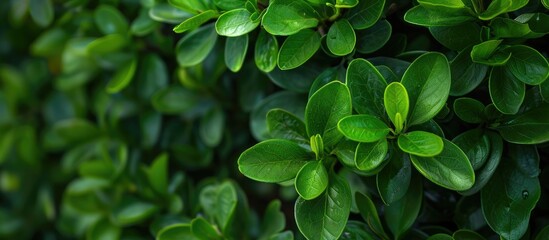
363,128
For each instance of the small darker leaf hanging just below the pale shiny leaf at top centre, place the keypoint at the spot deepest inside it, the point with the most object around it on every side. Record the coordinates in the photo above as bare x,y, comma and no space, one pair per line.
235,52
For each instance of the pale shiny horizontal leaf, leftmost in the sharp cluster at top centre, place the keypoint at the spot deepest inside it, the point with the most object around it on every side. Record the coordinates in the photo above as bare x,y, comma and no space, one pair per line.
235,23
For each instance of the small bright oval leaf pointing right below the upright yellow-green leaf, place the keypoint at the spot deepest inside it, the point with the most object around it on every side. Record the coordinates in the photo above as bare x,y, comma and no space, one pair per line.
420,143
